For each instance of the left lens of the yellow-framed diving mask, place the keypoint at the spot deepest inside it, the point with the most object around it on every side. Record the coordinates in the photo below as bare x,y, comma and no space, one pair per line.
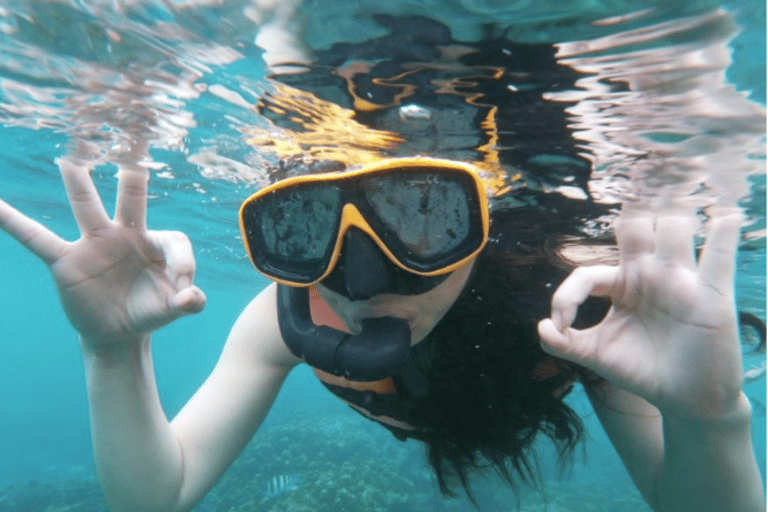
294,230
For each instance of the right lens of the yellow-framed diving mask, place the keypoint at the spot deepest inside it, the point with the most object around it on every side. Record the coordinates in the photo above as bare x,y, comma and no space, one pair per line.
428,213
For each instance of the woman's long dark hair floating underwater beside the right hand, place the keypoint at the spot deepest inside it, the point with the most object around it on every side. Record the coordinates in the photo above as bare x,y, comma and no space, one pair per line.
487,400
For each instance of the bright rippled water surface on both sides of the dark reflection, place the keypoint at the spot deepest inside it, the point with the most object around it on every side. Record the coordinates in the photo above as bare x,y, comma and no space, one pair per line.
652,111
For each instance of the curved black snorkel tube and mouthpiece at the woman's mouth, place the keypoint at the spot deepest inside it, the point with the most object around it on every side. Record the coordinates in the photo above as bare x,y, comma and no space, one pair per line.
379,351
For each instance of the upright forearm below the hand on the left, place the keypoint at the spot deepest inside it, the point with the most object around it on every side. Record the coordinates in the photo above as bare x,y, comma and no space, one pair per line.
139,461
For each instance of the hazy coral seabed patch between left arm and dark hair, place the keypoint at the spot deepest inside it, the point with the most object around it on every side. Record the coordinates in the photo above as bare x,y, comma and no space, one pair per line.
342,466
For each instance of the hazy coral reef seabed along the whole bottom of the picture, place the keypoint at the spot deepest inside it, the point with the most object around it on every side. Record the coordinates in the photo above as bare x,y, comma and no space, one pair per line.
342,463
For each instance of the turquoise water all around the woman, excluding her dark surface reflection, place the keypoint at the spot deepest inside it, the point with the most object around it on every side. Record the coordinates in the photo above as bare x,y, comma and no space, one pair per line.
85,70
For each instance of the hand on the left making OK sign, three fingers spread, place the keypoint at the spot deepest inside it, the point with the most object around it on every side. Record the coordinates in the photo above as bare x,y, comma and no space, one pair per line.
119,281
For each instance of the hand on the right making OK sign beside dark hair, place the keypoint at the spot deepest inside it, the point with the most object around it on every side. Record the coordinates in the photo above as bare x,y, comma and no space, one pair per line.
671,335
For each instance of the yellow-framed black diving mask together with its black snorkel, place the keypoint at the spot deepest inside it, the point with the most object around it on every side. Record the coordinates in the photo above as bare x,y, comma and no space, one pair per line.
397,226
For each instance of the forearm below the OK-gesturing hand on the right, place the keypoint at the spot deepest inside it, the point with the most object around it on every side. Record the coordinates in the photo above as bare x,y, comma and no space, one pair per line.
709,466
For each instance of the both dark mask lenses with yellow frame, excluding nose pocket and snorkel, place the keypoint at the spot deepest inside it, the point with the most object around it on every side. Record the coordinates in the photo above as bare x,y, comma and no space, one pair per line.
427,218
